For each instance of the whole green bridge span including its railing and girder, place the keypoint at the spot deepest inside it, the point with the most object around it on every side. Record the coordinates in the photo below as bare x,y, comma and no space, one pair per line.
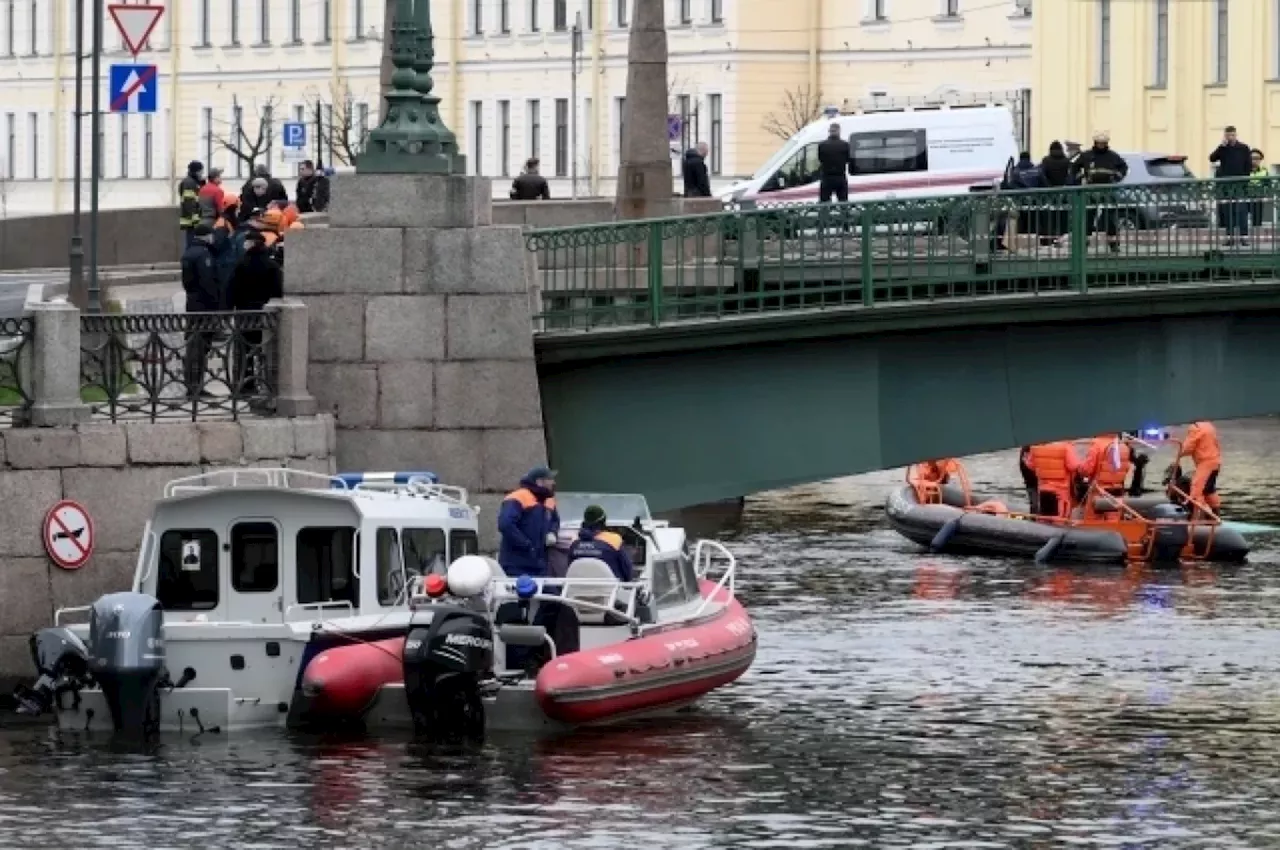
712,357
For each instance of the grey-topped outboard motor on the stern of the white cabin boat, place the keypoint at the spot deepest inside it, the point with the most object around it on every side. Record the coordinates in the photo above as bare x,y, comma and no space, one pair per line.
127,657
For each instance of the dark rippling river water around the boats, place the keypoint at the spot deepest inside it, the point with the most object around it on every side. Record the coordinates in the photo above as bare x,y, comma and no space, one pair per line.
899,701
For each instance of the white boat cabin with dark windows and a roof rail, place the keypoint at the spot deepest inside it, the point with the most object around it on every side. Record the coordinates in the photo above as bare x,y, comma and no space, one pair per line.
281,546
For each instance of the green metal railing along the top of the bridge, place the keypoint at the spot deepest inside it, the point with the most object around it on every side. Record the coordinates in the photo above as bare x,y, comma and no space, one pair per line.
815,257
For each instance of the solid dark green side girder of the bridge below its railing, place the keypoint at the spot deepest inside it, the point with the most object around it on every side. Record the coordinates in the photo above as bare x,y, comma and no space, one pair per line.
733,418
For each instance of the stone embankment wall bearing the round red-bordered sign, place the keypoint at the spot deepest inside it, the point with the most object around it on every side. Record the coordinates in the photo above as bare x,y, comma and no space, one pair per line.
116,472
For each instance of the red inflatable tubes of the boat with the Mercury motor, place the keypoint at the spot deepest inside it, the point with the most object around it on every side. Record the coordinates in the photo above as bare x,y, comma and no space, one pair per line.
664,670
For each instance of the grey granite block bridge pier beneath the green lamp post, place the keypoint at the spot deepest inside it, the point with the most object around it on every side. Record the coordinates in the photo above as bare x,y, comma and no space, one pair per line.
422,340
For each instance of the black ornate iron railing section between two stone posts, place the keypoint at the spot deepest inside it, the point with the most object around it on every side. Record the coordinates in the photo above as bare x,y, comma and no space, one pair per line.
179,367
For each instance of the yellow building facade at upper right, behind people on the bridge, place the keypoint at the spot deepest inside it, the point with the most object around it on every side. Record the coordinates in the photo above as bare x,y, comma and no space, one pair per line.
1160,76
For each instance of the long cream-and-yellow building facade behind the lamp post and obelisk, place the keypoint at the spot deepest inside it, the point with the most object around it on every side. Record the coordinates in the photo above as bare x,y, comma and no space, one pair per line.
738,71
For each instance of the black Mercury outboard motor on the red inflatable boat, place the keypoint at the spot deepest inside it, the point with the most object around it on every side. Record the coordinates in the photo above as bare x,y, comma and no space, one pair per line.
445,665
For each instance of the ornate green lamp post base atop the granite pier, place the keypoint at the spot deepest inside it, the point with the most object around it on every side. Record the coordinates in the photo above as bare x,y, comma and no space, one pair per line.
413,139
